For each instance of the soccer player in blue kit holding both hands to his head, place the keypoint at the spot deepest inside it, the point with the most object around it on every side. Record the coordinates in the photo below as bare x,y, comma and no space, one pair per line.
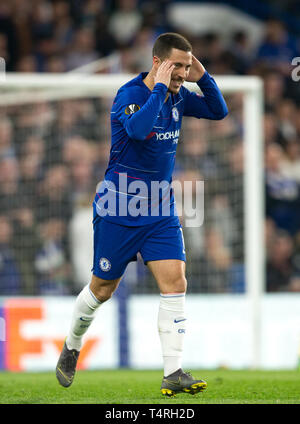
145,123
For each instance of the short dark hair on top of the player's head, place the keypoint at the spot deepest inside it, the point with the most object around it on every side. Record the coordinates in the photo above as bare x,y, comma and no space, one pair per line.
167,41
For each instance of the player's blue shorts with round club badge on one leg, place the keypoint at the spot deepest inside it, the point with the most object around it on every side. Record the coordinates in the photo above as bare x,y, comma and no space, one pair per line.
117,245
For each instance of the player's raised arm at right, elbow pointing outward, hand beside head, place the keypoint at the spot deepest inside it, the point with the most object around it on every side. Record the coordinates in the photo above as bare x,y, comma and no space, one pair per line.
210,105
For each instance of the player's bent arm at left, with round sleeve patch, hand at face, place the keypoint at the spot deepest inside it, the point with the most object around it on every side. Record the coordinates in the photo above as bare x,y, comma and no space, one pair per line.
139,119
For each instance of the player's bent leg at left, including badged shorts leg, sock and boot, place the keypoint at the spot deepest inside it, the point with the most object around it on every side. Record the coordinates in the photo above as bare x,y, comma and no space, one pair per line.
114,247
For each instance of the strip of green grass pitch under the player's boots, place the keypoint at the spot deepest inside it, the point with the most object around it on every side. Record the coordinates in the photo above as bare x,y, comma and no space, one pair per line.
143,387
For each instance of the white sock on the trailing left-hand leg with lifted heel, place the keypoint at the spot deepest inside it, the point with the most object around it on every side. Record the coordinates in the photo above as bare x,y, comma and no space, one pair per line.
84,312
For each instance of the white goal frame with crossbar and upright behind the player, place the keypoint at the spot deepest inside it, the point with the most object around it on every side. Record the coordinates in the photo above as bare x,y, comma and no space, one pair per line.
18,88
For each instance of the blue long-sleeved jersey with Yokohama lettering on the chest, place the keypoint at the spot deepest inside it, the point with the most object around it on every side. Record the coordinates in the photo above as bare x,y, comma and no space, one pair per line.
145,130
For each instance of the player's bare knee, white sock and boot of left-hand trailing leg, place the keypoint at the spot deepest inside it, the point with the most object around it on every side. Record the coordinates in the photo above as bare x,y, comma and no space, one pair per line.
86,305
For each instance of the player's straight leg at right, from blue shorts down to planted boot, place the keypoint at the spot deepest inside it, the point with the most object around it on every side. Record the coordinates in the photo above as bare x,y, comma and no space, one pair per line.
164,253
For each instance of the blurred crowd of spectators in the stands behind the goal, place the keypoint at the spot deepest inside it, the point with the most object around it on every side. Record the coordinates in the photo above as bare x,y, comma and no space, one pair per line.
53,154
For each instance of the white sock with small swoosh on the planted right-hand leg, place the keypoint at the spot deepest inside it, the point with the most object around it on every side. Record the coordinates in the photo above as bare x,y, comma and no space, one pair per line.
171,327
